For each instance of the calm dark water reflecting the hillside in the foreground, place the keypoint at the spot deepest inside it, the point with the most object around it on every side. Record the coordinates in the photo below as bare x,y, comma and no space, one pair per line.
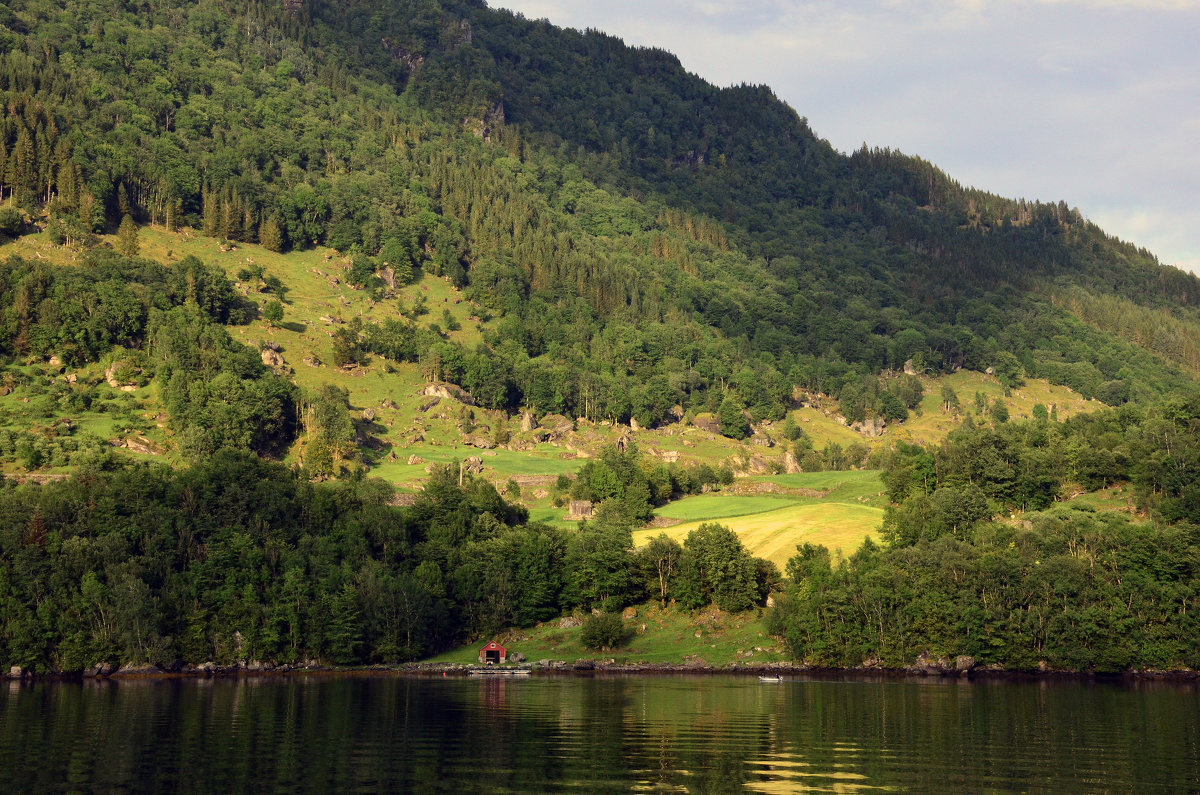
613,734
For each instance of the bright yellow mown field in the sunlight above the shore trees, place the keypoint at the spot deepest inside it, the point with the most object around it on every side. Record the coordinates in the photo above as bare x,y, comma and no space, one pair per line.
775,535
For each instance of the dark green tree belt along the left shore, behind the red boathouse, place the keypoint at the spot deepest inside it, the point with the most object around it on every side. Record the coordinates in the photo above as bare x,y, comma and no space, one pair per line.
238,559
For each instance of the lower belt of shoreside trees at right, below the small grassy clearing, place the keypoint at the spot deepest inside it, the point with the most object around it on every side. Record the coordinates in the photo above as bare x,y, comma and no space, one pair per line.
1077,591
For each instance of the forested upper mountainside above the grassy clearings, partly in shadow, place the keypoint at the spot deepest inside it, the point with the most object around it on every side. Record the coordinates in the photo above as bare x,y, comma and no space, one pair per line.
643,236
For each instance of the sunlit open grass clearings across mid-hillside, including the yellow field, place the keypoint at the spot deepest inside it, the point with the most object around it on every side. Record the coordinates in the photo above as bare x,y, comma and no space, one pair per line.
392,392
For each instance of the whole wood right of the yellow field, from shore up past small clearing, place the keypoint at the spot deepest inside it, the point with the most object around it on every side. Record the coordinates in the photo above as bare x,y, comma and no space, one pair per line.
1066,587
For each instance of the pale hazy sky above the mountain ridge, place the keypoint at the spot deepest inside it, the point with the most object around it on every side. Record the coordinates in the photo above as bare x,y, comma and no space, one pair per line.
1095,103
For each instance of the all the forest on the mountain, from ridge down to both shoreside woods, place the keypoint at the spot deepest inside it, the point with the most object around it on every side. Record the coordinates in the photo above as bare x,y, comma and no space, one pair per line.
638,244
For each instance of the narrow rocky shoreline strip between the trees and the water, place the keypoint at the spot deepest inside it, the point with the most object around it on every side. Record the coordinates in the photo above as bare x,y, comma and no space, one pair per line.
587,668
